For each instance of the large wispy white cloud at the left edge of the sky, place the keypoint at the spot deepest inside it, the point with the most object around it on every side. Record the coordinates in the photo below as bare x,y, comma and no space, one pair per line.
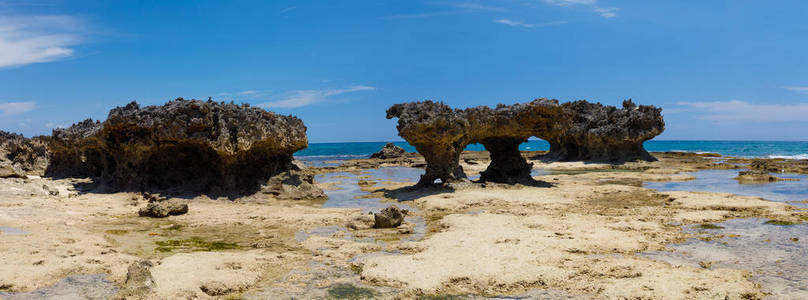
39,38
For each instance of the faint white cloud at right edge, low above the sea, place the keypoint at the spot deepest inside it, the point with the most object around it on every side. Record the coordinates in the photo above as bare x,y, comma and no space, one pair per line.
736,110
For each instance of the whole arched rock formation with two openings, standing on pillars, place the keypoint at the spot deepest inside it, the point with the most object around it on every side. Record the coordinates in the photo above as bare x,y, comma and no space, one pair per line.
576,131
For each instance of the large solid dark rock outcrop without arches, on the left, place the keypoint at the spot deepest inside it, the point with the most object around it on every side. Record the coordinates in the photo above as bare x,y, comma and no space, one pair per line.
189,144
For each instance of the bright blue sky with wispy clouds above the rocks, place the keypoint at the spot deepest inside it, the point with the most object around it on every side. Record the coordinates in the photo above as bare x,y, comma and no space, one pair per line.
725,70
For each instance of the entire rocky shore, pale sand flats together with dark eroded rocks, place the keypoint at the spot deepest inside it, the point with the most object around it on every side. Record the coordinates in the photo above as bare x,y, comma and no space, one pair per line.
255,224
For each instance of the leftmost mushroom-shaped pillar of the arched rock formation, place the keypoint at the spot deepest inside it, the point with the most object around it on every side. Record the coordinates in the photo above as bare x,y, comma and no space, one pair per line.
439,133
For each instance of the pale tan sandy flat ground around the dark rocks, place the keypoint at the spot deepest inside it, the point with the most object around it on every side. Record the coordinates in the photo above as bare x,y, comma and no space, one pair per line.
592,231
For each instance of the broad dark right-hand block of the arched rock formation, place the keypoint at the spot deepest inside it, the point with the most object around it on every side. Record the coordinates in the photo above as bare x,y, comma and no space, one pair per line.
594,132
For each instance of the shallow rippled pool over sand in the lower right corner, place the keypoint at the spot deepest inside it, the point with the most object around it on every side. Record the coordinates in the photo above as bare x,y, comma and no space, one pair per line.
775,254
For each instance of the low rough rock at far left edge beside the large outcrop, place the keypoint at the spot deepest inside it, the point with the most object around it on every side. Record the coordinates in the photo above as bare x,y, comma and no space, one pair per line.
20,156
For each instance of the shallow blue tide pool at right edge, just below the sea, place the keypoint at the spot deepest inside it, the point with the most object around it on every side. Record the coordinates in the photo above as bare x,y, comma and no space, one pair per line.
722,181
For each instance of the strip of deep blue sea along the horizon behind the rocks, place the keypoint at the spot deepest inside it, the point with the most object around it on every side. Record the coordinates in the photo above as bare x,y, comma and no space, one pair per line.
321,152
